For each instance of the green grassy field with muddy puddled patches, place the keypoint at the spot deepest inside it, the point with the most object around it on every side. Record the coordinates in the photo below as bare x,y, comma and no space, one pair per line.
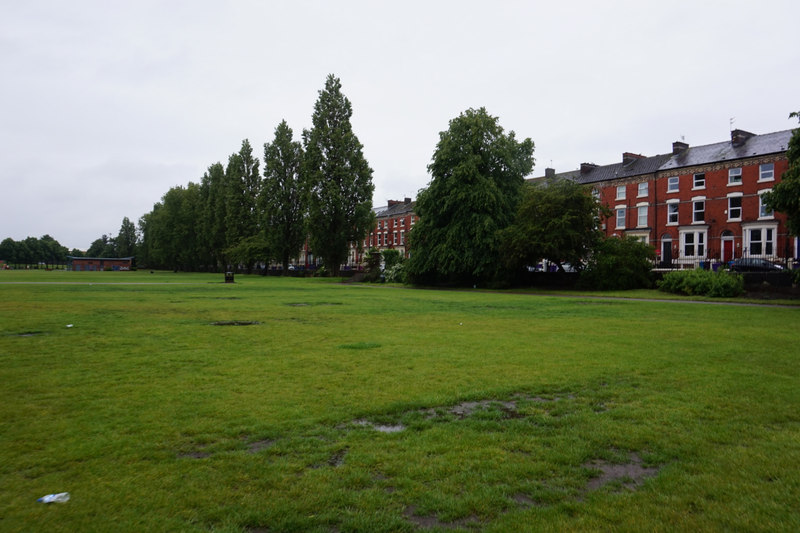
174,402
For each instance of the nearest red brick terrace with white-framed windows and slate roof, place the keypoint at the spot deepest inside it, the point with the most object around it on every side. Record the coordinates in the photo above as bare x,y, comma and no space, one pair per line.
698,206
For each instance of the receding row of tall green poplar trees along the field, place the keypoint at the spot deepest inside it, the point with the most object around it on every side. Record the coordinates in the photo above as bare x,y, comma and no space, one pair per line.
238,216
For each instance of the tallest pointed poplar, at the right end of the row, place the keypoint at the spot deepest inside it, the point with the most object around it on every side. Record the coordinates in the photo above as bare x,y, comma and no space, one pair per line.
338,176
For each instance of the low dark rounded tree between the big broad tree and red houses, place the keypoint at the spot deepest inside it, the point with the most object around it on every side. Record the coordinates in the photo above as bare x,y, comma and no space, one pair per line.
557,220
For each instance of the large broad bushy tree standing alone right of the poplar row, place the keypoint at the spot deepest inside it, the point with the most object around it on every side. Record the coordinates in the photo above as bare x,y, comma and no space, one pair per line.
476,175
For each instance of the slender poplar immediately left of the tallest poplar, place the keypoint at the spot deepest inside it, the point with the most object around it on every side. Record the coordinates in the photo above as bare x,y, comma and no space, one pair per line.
282,196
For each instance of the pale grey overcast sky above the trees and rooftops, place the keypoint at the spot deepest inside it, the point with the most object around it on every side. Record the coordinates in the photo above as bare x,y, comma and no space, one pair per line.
105,105
